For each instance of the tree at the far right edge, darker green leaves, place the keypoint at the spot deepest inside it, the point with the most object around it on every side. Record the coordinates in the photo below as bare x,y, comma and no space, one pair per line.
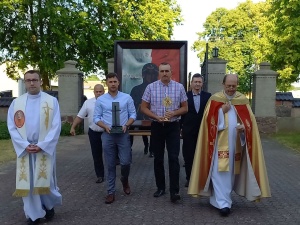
284,37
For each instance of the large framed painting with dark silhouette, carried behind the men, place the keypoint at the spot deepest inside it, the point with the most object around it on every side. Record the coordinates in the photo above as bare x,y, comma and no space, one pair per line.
137,62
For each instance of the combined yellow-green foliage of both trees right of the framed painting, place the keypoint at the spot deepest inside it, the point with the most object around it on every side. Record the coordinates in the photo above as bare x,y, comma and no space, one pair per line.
254,33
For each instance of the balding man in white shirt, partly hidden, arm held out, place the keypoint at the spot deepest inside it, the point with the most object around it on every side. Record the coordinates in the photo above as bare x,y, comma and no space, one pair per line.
95,132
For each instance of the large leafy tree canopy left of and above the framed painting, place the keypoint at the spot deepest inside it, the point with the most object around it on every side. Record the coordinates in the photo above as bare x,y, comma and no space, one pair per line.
45,33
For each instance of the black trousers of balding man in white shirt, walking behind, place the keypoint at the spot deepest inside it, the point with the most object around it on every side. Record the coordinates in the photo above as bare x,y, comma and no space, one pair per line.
96,147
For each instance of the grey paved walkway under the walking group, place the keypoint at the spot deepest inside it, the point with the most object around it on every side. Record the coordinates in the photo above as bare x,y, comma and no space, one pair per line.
83,199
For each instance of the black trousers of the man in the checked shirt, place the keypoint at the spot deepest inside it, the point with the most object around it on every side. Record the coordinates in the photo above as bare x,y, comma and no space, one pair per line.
166,134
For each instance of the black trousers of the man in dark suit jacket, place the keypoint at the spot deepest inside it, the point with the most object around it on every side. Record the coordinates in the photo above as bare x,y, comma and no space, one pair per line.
188,151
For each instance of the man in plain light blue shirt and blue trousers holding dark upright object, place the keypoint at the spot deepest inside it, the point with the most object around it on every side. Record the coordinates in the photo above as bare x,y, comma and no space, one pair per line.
113,141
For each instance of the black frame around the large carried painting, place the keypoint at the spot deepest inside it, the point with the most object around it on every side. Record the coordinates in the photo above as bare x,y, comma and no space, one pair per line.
181,46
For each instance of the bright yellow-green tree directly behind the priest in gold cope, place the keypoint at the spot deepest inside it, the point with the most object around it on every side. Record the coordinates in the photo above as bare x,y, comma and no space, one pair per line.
237,34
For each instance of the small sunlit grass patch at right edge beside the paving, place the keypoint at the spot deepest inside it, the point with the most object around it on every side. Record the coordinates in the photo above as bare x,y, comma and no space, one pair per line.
289,139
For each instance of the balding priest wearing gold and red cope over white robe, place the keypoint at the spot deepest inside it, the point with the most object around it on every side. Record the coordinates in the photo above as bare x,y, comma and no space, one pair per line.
229,154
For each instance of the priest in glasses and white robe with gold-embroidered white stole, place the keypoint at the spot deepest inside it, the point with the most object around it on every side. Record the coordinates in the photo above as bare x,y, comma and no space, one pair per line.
34,124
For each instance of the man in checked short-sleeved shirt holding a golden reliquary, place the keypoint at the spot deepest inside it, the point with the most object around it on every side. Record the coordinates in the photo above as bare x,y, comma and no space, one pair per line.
164,101
